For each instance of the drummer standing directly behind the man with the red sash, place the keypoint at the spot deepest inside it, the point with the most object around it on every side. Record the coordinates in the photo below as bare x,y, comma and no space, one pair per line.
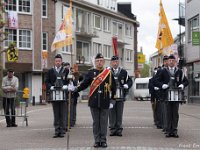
123,84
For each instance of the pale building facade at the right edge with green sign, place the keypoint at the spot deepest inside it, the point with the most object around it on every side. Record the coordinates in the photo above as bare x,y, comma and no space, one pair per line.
192,51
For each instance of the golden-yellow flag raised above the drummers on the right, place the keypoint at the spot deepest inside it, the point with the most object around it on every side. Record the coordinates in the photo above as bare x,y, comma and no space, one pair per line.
164,37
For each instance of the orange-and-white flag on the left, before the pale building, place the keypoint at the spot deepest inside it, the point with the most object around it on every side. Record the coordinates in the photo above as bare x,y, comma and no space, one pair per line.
64,35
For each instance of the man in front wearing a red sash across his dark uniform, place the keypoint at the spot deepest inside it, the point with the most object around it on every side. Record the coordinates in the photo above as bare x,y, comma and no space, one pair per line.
102,91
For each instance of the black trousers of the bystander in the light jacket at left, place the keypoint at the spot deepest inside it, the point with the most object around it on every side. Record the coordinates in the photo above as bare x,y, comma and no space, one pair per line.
9,105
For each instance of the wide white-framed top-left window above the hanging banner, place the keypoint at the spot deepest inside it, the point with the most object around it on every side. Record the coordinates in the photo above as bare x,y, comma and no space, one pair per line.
22,6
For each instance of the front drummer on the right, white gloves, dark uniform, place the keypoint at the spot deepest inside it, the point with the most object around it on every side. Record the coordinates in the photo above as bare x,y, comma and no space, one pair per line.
171,77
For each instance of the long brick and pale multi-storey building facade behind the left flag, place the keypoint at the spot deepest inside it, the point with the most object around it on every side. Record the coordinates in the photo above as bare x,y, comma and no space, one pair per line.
94,25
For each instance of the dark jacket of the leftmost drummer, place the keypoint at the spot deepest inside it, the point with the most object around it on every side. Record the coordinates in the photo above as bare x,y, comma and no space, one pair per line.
51,77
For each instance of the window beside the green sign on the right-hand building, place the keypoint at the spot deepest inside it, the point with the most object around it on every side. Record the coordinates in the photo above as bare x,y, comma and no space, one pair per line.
193,25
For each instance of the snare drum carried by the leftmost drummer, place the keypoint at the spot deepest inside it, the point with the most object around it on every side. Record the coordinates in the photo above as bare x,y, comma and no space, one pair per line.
58,95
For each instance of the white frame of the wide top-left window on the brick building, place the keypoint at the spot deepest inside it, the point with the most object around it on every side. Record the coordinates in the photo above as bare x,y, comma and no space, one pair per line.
17,7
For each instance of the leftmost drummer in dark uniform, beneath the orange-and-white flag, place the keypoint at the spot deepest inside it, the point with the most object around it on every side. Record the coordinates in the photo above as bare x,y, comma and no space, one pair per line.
57,78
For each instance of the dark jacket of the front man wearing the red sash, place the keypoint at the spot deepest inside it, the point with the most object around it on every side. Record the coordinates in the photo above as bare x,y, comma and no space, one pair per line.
98,99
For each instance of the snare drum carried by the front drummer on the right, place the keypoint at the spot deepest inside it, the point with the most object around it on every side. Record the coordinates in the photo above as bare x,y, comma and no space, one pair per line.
176,95
